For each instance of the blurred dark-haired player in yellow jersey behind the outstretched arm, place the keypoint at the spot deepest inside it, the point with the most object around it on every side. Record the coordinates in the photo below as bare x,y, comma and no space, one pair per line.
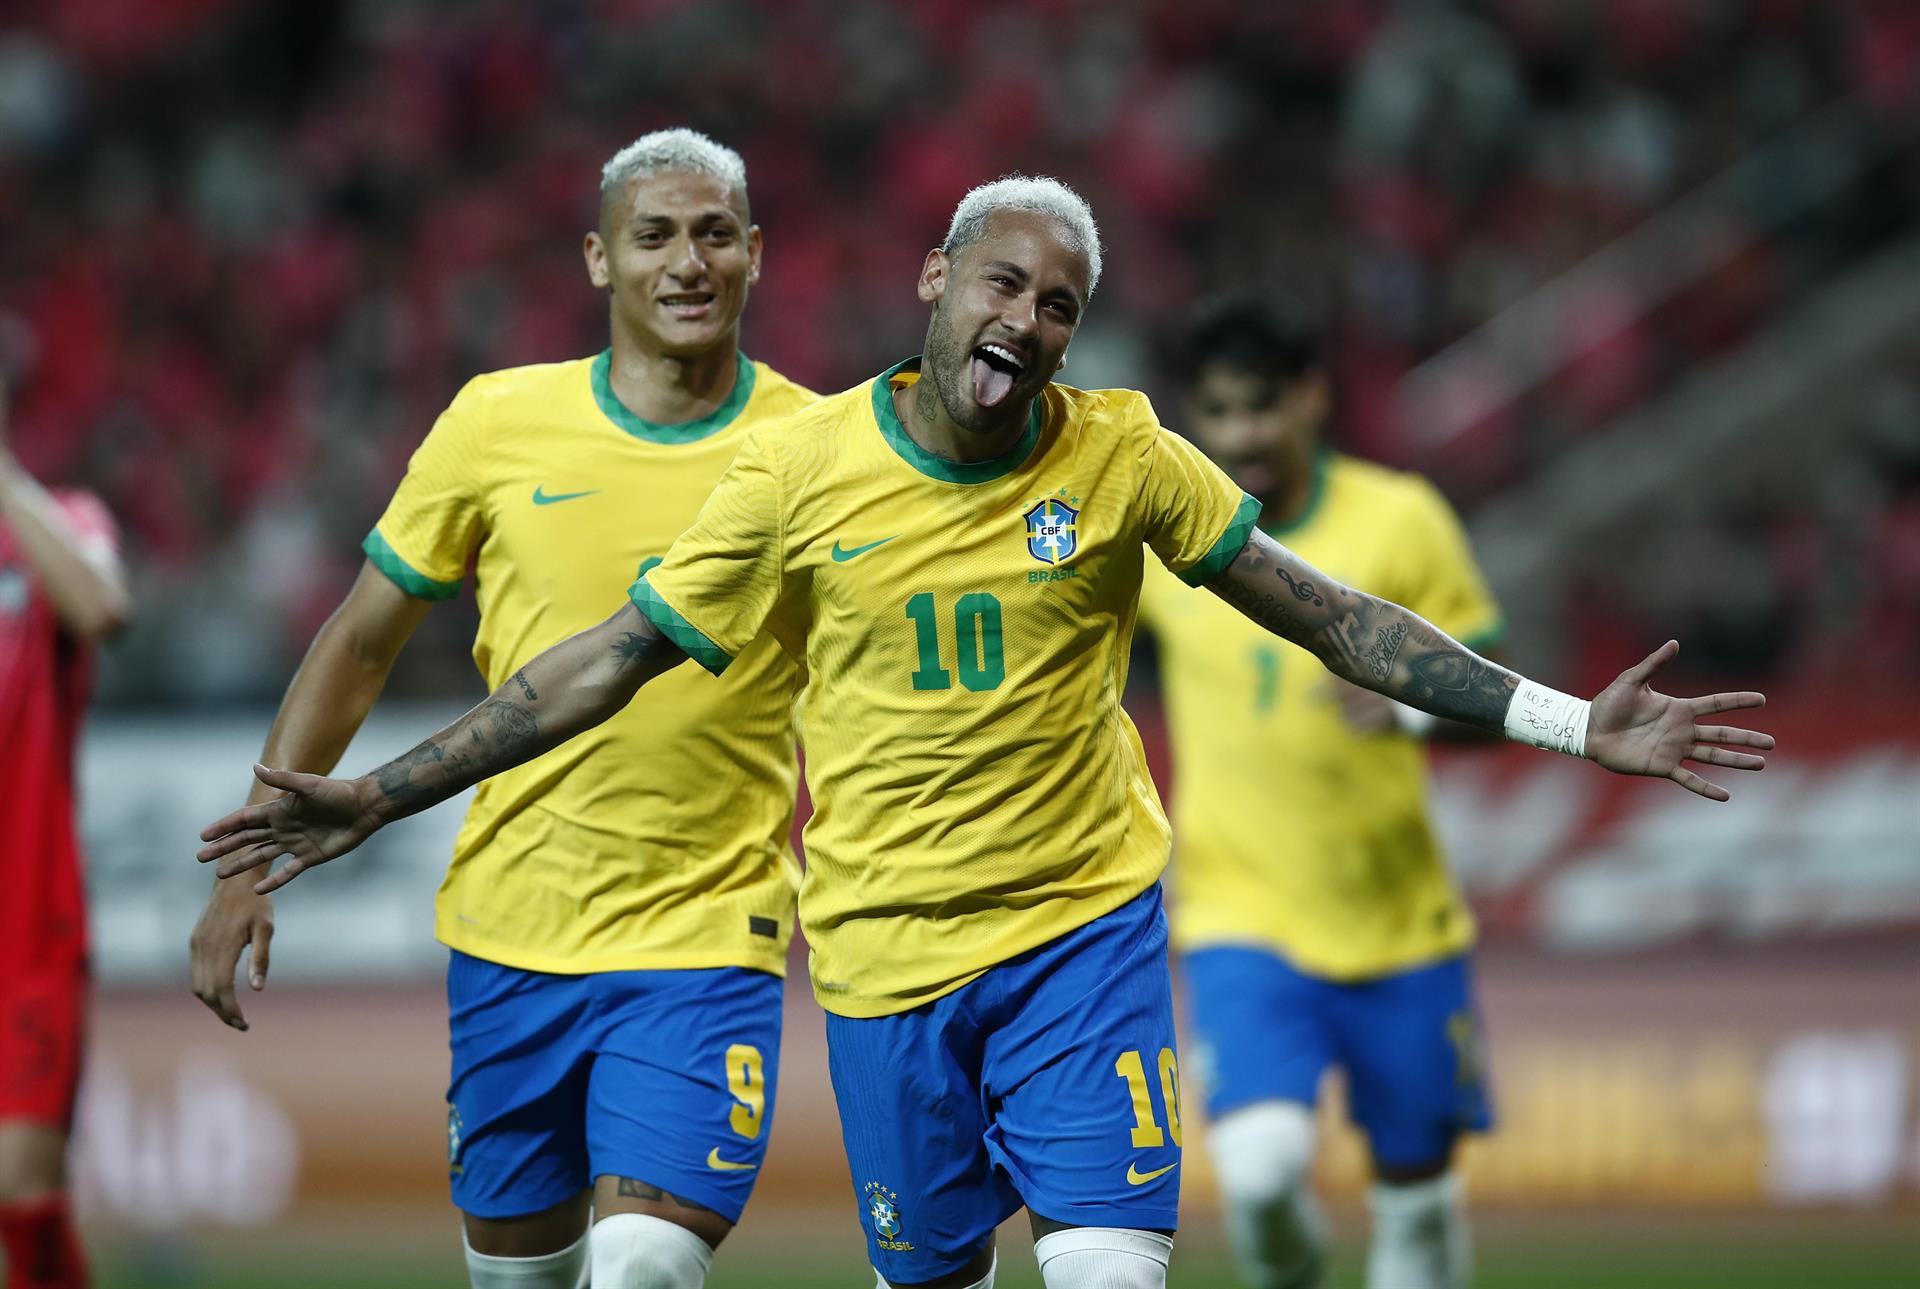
1314,910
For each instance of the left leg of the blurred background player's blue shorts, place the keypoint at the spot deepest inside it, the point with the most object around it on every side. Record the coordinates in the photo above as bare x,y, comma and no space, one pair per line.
1259,1029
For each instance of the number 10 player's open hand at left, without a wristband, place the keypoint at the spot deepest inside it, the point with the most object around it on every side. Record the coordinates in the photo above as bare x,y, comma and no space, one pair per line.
316,819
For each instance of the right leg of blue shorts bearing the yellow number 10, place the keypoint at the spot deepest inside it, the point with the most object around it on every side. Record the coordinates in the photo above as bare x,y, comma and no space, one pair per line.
1084,1075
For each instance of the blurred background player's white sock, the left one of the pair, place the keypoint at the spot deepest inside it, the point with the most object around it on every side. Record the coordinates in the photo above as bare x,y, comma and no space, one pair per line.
1262,1155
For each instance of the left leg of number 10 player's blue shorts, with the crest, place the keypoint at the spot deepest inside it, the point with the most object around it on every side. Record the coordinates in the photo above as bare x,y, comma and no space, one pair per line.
909,1092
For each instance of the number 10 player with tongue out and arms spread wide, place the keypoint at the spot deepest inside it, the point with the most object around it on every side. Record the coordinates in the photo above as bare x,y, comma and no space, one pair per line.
955,548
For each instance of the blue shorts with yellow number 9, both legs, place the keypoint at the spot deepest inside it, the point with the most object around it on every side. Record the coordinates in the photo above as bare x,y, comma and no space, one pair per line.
661,1077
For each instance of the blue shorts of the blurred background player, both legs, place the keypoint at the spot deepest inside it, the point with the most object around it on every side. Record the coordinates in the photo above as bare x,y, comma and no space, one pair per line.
1410,1046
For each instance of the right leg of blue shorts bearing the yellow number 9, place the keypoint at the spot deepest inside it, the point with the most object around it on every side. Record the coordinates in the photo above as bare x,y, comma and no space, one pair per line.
684,1084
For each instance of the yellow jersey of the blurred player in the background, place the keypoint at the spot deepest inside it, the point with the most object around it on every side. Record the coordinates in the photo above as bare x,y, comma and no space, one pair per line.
1293,831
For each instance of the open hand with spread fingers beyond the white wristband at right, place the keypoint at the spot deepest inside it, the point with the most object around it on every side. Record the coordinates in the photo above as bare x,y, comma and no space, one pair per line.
1637,731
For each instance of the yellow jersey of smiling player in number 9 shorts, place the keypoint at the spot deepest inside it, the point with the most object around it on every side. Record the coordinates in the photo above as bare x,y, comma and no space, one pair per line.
610,852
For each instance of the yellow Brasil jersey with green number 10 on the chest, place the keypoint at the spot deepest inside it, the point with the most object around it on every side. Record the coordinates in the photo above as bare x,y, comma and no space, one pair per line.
978,789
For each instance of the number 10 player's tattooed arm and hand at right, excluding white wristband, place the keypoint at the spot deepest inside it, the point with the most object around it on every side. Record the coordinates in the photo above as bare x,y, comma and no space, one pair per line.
1391,650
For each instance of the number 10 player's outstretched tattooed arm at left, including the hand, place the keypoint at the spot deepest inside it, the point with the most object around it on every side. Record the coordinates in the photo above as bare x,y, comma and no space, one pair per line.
569,689
